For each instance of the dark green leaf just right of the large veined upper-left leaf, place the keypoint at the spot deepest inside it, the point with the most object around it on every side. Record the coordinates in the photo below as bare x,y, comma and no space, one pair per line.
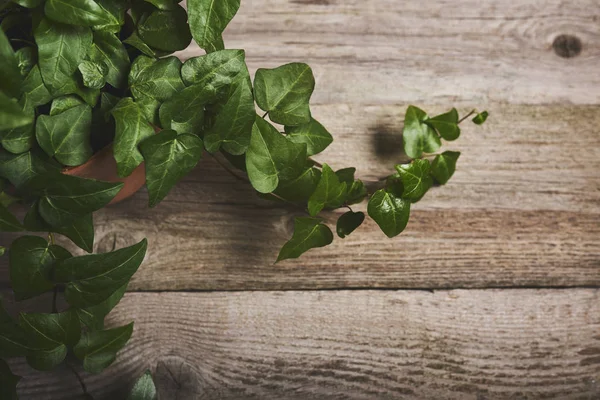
109,50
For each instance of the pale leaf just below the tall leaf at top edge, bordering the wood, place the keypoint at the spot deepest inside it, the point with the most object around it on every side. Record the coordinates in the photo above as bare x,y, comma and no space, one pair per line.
218,69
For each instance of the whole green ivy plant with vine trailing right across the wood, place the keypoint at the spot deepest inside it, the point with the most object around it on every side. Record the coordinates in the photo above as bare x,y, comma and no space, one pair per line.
80,75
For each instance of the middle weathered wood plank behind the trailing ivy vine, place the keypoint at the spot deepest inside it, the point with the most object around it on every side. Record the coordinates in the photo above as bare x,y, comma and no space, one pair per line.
522,209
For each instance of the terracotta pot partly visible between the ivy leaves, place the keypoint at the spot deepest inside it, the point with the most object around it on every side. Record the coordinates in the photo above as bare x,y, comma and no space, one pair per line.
103,167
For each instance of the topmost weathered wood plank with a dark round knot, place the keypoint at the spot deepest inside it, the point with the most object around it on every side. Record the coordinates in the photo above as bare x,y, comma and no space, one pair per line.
390,51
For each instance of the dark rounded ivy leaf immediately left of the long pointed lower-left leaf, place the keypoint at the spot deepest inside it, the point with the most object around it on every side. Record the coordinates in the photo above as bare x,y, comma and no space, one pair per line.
30,262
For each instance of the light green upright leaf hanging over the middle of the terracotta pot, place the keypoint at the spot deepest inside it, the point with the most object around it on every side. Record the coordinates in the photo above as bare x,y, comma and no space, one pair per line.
132,127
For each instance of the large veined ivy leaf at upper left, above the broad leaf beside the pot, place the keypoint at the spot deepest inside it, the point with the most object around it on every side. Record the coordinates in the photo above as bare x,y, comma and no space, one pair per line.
61,48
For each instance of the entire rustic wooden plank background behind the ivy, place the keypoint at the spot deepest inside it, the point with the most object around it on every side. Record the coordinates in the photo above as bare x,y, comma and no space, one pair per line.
493,291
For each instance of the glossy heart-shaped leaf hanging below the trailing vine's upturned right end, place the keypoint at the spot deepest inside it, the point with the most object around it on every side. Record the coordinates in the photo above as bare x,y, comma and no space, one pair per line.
391,213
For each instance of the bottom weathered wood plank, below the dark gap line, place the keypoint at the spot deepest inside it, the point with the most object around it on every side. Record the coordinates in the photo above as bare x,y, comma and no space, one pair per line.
473,344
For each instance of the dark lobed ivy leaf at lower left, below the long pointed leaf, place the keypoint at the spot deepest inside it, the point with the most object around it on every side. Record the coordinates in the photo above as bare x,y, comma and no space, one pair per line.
49,336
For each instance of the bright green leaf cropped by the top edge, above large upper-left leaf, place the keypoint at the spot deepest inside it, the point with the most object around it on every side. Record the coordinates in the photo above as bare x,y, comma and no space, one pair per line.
77,12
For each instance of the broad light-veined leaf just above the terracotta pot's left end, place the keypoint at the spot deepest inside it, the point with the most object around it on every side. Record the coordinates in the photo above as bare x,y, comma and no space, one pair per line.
66,136
